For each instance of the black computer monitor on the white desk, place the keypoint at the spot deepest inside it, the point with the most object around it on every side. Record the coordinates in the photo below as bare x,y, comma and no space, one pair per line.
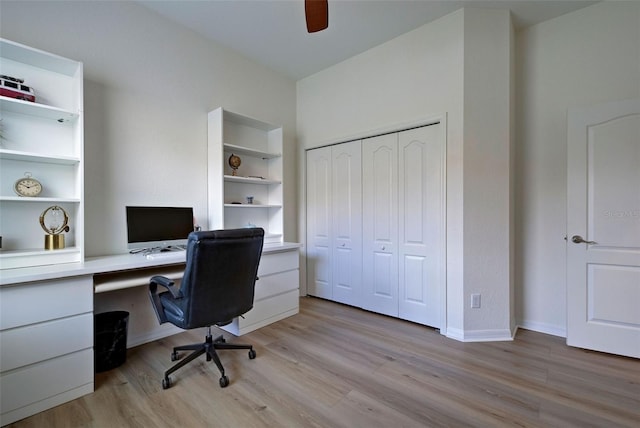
158,227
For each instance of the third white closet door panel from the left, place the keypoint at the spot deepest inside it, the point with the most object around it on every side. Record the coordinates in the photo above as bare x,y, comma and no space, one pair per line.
380,224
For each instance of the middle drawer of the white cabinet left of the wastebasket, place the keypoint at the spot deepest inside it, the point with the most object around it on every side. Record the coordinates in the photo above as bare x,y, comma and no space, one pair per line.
38,342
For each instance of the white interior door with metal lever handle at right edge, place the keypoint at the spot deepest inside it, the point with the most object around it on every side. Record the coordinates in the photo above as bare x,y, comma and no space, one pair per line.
603,228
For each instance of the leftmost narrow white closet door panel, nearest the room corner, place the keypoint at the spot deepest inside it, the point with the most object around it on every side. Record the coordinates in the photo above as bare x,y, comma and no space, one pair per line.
319,202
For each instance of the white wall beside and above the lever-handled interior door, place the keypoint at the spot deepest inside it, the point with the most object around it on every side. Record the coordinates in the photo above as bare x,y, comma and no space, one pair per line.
588,57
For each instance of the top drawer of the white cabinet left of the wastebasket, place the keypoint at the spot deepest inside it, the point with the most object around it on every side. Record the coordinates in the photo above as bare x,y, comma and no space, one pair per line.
42,301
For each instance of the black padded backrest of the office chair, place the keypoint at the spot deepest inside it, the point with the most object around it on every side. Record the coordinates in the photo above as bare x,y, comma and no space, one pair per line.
220,275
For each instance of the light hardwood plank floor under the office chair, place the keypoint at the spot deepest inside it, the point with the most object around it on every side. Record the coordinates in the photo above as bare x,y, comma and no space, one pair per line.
337,366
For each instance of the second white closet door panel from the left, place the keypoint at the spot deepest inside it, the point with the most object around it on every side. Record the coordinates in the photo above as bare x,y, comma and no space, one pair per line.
346,171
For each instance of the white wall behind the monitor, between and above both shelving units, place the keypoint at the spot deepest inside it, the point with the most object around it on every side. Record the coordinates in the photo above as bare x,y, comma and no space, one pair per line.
148,87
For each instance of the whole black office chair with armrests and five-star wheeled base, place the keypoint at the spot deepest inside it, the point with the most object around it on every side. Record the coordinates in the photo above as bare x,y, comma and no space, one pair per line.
217,286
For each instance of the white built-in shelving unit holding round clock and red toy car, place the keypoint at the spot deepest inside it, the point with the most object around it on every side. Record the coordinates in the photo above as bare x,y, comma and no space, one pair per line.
44,139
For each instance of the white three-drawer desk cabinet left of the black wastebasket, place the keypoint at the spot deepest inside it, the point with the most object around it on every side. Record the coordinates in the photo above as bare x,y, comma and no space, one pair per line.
46,337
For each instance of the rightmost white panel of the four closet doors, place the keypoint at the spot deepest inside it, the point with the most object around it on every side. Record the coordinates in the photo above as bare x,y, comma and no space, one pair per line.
420,226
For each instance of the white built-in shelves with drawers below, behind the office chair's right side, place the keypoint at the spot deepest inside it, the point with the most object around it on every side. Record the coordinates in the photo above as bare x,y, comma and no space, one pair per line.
259,146
